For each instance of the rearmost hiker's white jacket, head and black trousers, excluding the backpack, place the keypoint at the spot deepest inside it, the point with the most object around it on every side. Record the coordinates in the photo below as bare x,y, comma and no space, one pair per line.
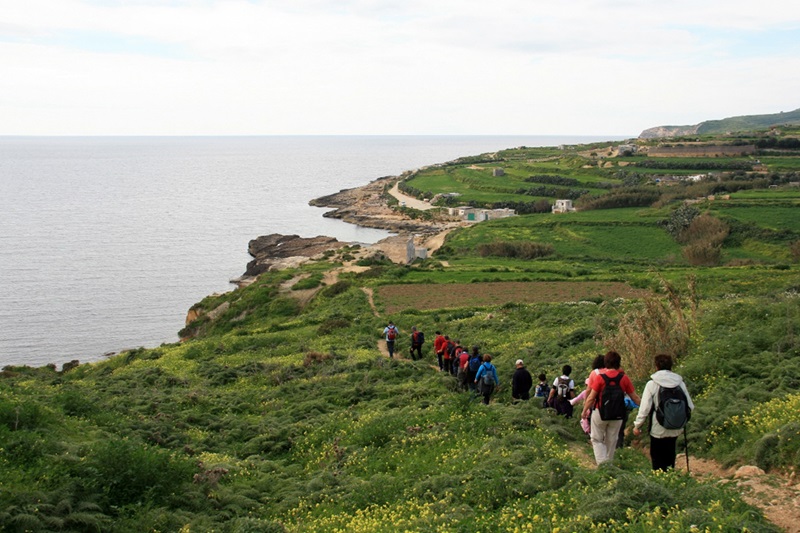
662,441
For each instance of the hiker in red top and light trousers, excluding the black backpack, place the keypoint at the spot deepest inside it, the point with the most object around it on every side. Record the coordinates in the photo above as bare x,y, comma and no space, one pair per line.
604,433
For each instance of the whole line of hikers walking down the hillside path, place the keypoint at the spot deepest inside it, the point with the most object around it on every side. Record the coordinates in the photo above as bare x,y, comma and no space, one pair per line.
608,398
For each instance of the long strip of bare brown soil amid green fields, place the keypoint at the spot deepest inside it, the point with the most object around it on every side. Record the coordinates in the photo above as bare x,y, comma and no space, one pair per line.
431,296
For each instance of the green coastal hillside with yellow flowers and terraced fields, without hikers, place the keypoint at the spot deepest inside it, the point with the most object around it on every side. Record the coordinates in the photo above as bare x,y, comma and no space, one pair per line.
282,412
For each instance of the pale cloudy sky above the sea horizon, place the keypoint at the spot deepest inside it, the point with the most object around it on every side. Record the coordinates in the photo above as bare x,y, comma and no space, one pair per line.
391,67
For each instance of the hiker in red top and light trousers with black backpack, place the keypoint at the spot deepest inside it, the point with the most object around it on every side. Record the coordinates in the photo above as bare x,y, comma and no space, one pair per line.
606,406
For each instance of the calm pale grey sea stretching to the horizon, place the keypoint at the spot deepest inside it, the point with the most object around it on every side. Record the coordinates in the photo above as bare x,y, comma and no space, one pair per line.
105,242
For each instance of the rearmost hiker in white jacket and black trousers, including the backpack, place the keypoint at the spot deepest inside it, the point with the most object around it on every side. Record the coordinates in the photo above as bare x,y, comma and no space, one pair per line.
664,384
